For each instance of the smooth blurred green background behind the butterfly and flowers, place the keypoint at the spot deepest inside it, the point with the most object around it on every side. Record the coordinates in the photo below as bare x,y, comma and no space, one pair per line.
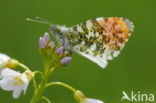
134,70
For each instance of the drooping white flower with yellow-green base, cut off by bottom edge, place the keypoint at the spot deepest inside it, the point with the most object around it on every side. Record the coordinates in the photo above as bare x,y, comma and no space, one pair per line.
81,98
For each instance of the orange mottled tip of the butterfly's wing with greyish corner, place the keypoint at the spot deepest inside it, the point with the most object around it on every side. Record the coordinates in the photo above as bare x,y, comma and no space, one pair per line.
115,31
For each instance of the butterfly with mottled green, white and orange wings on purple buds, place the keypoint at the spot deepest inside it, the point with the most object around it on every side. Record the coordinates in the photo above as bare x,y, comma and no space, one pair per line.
99,40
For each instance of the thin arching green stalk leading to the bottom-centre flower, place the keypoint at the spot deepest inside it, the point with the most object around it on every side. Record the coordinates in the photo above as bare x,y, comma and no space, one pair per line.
62,84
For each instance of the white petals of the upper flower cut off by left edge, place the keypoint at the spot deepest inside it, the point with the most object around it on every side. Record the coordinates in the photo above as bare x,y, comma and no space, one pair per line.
3,60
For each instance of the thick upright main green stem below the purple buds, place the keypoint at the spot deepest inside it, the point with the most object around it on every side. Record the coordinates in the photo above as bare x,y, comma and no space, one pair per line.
41,87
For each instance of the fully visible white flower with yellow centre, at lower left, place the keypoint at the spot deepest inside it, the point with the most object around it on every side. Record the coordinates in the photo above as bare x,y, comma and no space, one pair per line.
15,81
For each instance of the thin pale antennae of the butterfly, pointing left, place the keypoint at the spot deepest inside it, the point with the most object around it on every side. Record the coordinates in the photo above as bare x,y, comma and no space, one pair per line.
39,20
